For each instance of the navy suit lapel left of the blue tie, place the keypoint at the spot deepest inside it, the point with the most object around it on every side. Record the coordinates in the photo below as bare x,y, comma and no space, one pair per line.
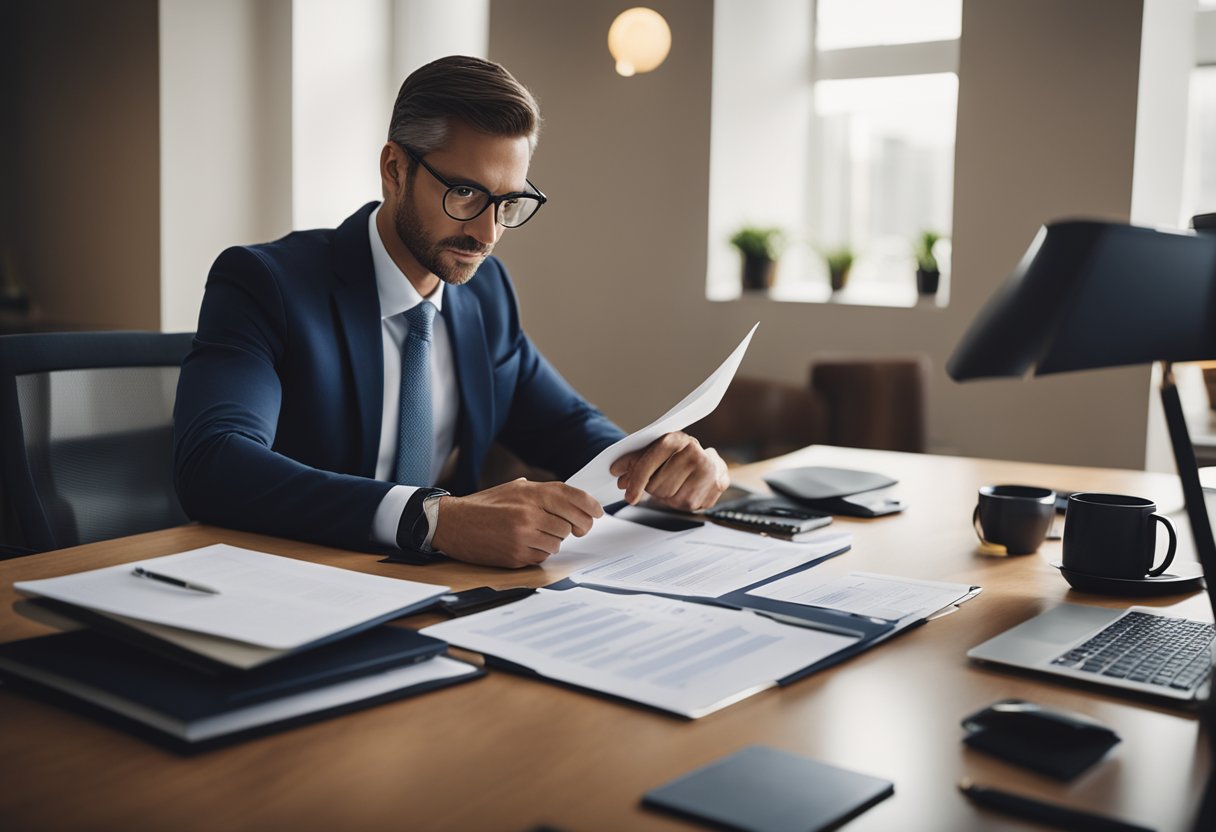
357,312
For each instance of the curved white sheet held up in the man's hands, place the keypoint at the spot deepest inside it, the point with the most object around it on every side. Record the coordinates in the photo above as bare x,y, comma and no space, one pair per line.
595,477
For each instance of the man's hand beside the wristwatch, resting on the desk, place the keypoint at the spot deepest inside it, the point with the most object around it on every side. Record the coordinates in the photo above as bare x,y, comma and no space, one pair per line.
515,525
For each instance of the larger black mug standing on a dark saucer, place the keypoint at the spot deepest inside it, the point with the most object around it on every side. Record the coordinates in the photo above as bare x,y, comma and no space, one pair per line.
1114,536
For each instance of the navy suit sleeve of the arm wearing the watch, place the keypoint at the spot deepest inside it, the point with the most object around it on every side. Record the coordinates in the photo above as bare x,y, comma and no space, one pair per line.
227,417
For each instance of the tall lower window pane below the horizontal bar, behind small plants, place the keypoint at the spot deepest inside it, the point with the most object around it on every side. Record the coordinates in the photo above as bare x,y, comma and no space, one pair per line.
885,166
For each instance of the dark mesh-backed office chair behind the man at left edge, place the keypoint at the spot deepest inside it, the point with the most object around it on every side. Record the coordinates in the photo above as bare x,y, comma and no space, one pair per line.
87,437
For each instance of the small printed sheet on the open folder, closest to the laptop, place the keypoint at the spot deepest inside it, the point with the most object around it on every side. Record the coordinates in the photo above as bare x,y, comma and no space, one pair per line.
866,594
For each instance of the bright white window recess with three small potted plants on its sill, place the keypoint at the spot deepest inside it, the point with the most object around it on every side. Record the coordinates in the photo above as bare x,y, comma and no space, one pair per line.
835,121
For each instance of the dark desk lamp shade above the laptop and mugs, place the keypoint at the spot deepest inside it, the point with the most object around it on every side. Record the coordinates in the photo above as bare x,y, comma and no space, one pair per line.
1091,295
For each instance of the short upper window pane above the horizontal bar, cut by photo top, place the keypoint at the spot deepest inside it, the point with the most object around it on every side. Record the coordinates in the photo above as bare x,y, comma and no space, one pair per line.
845,24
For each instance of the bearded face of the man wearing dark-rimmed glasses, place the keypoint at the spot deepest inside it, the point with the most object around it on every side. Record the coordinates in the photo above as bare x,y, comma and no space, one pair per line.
449,249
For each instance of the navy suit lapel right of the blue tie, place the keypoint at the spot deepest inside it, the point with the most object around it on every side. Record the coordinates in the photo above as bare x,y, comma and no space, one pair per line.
472,359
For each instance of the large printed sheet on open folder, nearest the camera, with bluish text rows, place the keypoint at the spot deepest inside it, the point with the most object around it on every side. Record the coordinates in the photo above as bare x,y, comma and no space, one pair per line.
683,657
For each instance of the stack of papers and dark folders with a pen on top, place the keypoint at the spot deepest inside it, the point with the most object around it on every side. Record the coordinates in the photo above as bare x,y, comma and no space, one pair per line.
222,643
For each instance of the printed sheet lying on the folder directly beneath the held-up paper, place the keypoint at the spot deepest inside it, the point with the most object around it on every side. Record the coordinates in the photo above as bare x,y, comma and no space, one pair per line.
706,563
